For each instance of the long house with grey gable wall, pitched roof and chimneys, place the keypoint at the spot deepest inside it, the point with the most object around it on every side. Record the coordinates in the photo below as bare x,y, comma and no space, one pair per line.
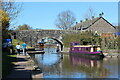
98,24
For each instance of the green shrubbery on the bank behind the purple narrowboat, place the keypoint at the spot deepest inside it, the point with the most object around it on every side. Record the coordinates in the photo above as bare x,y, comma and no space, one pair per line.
84,38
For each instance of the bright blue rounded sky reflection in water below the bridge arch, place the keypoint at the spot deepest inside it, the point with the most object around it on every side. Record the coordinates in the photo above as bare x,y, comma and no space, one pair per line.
50,57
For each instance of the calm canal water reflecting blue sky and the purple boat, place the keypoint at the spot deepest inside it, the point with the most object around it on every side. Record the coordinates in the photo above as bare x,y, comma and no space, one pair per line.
55,66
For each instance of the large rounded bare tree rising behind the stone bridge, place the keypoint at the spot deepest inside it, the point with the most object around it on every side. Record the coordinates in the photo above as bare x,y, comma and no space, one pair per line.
65,20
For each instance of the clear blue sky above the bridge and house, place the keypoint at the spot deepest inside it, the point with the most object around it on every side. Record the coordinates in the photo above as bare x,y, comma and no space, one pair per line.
42,15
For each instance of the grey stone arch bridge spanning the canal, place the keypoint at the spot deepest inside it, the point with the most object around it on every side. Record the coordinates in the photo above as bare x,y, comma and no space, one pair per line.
34,36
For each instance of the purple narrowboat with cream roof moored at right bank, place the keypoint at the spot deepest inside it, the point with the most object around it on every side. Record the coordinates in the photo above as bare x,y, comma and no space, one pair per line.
89,51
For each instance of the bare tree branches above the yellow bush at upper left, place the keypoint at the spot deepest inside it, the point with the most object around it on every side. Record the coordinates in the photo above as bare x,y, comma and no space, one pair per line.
12,8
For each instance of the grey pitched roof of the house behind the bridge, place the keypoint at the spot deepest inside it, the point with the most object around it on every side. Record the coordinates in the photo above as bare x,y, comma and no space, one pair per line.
88,23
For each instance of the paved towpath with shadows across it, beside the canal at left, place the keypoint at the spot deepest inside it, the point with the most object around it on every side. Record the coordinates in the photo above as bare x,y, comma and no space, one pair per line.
24,69
